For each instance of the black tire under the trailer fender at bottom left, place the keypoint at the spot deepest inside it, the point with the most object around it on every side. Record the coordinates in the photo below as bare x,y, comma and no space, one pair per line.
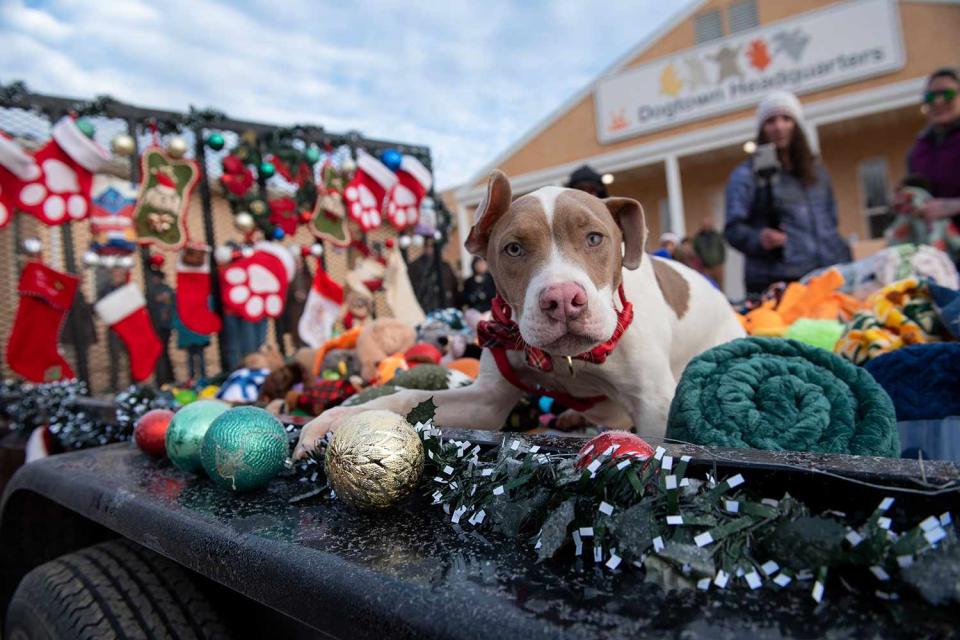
115,589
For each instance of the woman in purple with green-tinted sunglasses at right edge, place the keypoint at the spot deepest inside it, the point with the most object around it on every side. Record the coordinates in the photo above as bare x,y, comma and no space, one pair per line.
936,154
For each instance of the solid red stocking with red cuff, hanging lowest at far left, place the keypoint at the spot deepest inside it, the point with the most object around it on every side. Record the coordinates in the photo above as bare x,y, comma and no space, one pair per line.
45,298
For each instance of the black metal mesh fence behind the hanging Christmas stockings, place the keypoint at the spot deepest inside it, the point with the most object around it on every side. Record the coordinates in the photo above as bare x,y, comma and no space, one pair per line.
95,353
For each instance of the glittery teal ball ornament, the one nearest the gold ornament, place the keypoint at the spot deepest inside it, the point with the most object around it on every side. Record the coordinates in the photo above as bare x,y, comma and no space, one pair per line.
244,449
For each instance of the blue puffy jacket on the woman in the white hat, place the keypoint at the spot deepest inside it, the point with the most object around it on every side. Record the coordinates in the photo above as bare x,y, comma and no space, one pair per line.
808,216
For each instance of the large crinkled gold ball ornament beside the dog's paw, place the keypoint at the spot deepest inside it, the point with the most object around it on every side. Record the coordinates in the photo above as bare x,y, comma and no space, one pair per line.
375,459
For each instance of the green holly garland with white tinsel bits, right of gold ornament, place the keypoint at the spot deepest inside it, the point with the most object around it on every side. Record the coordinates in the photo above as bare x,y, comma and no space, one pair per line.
704,533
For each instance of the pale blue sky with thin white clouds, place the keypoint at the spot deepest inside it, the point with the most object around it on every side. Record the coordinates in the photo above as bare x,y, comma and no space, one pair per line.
467,79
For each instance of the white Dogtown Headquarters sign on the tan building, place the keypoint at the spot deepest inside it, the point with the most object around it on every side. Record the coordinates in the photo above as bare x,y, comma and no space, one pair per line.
841,44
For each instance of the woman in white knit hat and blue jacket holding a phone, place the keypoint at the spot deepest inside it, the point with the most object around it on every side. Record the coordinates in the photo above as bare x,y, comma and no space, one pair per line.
780,209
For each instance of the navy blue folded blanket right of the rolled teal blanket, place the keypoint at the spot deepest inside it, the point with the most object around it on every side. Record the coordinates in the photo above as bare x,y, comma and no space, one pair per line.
922,380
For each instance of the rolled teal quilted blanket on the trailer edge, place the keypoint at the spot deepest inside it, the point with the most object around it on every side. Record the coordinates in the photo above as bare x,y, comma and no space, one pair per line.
782,395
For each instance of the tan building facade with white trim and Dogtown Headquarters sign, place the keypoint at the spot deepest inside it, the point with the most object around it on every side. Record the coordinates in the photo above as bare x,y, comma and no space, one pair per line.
671,119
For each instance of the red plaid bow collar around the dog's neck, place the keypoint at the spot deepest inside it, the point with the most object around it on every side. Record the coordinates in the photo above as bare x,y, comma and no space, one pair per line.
503,333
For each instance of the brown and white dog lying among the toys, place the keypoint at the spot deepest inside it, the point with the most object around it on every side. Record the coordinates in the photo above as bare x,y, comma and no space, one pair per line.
558,257
